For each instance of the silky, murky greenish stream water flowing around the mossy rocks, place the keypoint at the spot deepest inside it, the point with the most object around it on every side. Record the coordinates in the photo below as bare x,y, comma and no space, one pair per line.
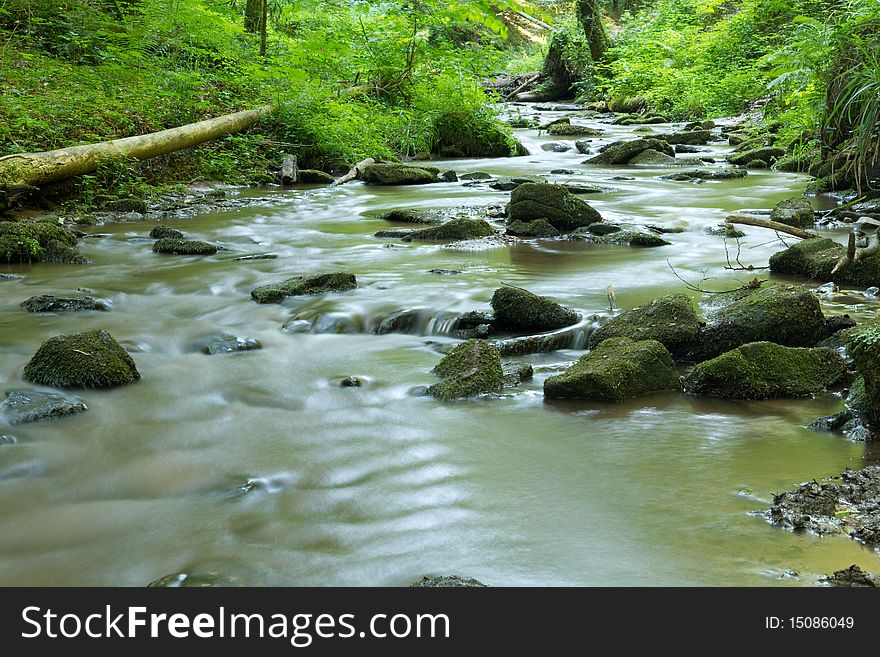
258,468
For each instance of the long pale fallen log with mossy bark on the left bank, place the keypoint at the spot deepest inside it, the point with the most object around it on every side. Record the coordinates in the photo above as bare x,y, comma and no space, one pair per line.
37,169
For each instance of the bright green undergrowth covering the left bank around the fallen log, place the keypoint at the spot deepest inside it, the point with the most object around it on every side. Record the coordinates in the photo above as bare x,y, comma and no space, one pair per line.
349,80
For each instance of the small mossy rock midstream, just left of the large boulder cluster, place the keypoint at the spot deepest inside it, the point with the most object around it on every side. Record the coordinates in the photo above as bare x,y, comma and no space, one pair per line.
472,368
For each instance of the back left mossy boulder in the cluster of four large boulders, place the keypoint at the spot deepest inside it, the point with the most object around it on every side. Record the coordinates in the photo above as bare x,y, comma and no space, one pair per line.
670,320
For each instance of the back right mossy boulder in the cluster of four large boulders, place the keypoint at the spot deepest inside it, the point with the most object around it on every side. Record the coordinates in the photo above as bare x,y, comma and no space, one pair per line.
787,315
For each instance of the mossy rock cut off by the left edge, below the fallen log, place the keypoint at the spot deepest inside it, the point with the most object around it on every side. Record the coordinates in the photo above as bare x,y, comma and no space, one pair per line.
37,241
